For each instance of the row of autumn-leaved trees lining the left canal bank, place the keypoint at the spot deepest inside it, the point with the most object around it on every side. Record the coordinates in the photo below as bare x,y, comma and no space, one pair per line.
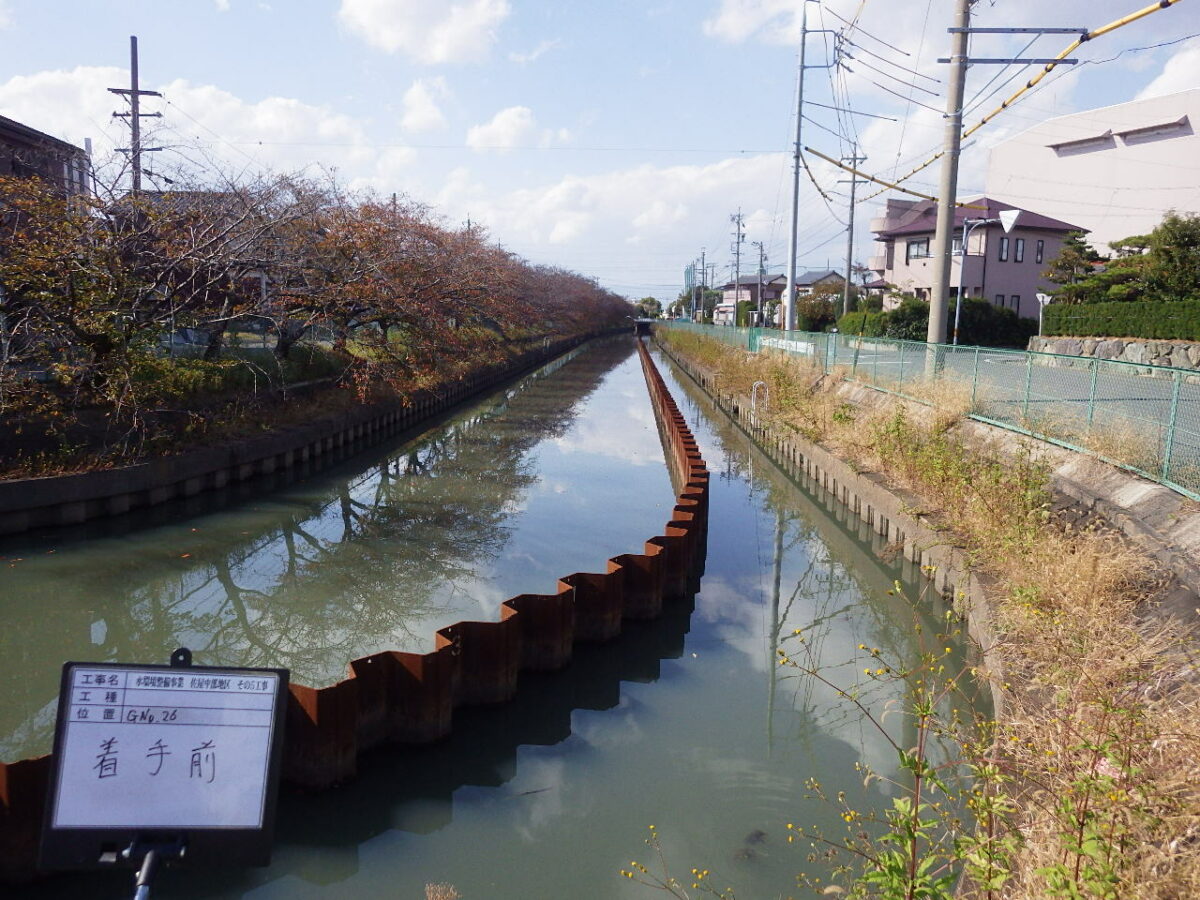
131,325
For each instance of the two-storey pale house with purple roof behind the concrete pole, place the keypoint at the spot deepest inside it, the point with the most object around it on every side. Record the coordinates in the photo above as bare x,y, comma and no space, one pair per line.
1005,268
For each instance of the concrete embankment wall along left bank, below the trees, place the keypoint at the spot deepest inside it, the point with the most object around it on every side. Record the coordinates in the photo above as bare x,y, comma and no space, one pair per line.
71,500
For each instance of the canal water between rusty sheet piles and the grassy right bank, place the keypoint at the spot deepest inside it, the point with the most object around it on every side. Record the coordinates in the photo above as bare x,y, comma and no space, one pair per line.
686,723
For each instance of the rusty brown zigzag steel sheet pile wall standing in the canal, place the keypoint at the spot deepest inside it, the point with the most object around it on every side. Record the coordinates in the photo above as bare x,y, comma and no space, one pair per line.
394,698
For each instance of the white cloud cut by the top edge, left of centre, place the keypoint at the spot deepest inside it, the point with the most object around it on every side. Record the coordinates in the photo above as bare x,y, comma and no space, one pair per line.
429,31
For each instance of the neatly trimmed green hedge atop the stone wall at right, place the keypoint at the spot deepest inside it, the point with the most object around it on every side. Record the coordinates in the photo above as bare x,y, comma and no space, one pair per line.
1157,320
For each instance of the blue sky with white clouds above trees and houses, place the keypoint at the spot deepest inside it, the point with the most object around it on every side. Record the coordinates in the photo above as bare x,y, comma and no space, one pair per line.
609,137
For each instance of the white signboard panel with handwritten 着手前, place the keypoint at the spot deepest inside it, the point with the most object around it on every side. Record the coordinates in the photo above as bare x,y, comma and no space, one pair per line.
165,748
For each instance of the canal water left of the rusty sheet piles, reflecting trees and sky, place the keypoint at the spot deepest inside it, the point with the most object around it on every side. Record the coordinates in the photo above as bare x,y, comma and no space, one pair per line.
501,500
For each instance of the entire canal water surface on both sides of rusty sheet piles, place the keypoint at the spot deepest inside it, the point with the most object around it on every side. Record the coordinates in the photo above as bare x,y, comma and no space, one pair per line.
685,723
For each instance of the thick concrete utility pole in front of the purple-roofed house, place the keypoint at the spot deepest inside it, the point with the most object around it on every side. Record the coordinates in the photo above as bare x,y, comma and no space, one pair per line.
952,143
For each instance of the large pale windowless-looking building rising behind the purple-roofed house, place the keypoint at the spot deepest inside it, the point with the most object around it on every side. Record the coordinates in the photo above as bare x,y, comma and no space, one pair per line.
1115,171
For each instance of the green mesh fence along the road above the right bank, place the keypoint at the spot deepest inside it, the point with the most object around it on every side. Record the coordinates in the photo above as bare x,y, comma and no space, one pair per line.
1142,418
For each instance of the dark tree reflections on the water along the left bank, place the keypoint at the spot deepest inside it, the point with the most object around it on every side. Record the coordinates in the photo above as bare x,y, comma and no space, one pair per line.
365,566
